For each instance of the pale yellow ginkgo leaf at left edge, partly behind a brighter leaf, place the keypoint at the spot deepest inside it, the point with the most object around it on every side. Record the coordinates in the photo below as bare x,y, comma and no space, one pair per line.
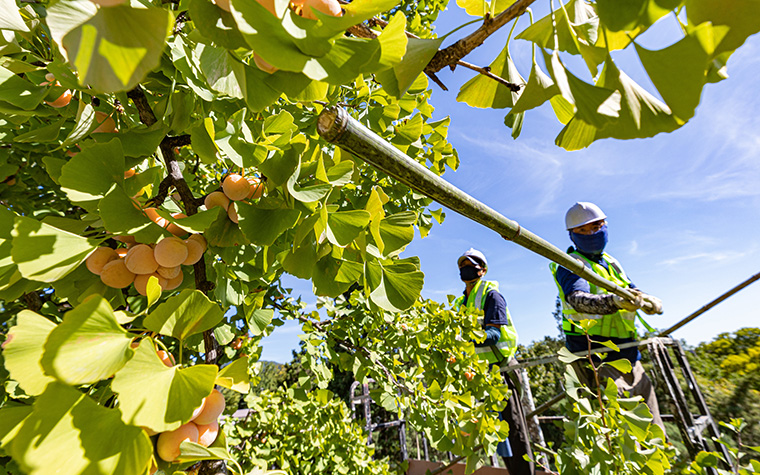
23,351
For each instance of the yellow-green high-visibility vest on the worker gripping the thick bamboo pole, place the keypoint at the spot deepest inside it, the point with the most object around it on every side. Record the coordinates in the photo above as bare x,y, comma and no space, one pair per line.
616,325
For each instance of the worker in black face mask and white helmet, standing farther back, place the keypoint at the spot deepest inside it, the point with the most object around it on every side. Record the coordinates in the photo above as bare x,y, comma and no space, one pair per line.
499,345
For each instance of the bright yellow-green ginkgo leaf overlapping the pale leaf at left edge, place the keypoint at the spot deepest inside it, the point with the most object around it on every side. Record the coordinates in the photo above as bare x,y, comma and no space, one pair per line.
88,346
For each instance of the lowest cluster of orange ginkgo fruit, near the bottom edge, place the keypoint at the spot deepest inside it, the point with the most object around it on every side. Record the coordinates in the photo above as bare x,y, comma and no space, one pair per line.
203,427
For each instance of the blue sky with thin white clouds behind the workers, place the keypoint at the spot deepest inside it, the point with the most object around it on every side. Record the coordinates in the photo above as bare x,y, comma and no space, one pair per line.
683,208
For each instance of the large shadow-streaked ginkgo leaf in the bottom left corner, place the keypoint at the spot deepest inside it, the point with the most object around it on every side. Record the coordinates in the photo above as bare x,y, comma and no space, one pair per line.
67,429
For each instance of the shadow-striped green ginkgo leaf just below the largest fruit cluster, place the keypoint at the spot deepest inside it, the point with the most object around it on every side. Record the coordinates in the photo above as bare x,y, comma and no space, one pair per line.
185,314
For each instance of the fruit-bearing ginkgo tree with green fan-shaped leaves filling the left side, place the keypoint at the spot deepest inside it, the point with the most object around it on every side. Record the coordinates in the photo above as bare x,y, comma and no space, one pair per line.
119,120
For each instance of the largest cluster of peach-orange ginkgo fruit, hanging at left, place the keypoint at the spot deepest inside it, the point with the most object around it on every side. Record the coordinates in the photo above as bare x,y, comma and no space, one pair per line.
136,263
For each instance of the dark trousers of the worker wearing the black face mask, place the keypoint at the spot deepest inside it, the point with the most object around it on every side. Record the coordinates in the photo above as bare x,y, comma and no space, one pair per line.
519,439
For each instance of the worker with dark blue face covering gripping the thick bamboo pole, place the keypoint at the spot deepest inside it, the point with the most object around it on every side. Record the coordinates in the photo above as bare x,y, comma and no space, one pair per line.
615,315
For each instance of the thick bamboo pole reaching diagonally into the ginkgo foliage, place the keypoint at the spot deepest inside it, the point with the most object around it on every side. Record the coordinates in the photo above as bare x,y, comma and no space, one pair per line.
336,126
